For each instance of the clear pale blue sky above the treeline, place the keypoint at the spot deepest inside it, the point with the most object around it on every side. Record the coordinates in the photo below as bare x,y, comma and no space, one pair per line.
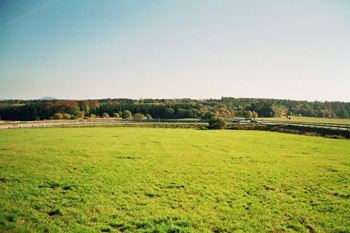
199,49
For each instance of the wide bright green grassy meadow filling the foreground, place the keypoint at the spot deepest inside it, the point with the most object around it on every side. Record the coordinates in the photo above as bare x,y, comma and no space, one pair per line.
172,180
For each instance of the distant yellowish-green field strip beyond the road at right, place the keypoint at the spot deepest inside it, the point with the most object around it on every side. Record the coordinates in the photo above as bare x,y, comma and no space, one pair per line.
307,119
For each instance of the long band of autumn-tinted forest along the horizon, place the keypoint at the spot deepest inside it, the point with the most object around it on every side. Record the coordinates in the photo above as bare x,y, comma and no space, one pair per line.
168,108
